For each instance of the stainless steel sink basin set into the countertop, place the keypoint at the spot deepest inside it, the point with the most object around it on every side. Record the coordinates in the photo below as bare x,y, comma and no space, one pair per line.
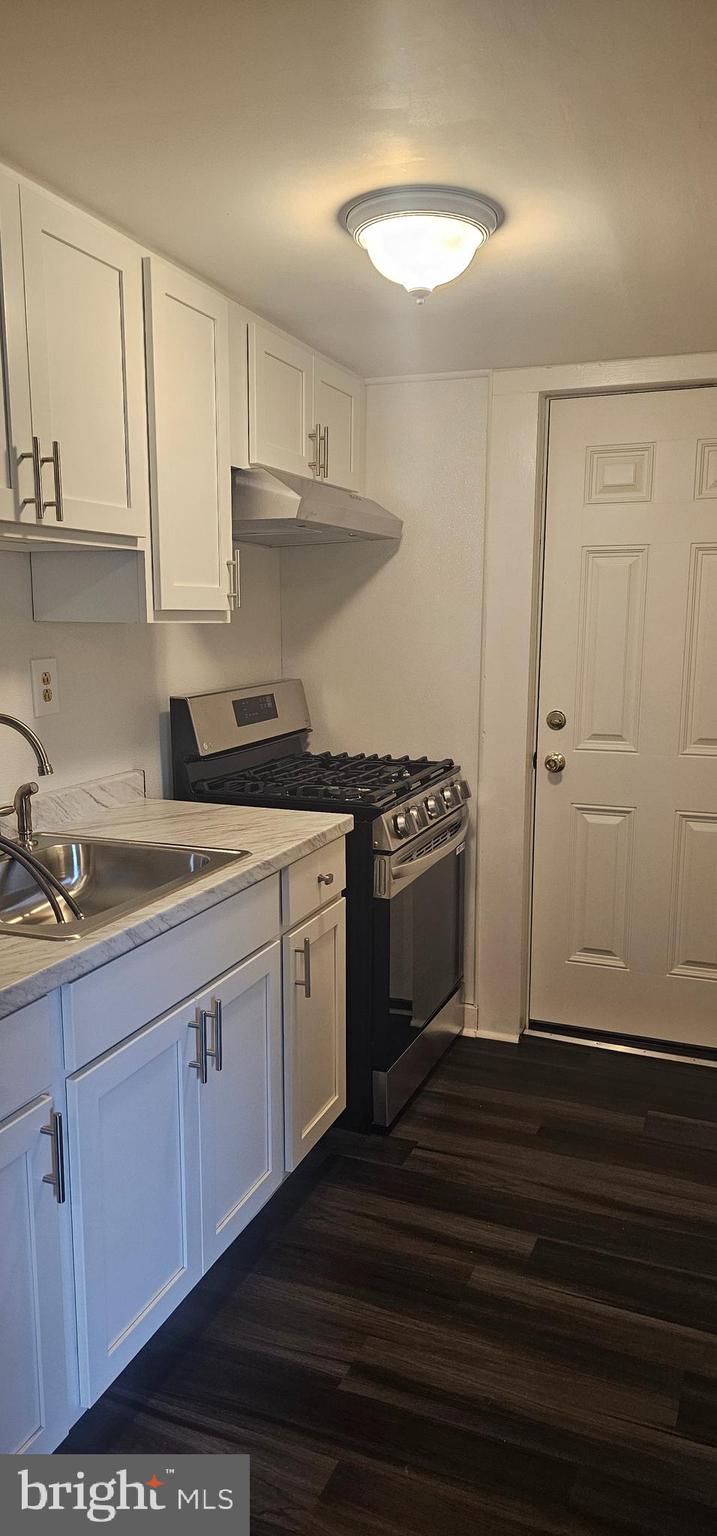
108,879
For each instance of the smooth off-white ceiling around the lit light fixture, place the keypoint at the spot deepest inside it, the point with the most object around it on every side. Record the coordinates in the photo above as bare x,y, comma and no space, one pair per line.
228,134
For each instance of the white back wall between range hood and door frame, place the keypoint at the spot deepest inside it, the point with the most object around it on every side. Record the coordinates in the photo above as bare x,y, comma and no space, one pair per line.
389,643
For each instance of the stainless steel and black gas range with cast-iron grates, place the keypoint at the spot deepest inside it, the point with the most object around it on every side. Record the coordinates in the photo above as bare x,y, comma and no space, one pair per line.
405,872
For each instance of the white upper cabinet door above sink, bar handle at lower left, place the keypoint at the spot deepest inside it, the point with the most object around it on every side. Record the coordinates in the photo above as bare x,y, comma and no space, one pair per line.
87,368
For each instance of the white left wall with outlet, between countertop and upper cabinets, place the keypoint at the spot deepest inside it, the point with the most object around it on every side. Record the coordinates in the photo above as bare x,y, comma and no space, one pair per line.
116,678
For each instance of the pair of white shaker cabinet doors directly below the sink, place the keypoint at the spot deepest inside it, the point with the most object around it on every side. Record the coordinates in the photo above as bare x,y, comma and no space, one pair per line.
176,1145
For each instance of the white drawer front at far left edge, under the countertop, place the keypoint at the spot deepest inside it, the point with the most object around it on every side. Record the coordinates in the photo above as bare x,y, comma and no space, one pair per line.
30,1053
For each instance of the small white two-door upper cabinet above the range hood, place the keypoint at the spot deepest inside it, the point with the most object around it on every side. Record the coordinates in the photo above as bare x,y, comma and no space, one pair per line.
306,415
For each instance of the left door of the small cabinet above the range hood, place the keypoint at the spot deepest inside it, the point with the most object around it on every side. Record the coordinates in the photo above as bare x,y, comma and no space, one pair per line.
280,400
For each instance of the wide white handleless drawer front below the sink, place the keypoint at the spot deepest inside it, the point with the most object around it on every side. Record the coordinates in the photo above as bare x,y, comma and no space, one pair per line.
113,1002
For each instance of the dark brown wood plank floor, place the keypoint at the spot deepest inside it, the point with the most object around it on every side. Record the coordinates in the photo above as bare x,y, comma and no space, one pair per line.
500,1320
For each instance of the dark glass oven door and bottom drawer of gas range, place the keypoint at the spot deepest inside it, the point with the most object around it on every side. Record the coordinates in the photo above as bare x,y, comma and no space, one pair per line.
418,947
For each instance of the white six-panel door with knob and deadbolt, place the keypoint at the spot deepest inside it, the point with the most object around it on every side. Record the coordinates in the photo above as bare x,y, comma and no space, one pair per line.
626,861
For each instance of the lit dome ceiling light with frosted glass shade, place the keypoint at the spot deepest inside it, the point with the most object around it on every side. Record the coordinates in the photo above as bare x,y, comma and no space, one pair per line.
421,236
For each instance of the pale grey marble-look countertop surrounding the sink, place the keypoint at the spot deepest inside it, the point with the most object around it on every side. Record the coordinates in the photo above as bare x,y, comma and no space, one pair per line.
33,967
